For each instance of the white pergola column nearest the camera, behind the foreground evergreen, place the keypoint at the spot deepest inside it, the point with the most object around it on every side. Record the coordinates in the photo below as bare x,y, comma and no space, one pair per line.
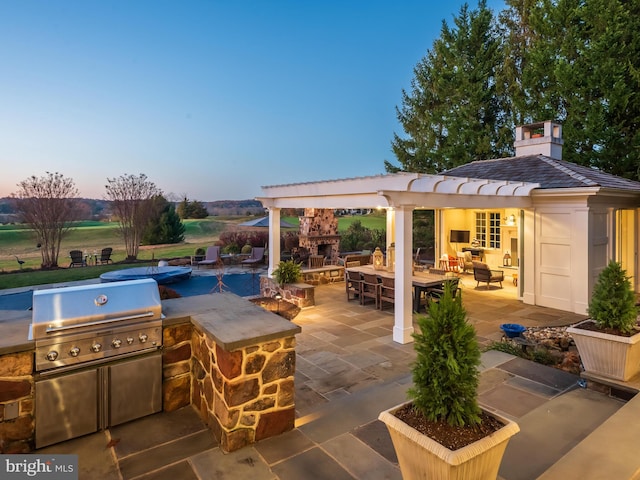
403,310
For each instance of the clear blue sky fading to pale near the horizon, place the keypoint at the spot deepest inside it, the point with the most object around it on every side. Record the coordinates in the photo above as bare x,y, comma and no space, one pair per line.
209,99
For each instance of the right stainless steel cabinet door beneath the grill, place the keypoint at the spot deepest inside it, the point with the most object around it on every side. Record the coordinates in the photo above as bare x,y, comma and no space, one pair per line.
135,388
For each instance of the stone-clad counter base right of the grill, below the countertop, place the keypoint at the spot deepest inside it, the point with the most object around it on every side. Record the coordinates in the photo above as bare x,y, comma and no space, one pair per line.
244,395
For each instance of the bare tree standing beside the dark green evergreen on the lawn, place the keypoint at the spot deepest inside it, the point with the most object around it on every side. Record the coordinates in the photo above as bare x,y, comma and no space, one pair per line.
132,203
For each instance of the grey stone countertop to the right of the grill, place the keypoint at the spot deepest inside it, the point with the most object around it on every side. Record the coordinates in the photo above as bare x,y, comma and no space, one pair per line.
232,321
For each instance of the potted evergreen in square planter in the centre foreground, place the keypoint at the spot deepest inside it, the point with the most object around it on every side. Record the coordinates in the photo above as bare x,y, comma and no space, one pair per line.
442,432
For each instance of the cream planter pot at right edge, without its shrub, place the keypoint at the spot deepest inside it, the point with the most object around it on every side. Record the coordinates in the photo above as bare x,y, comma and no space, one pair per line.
607,355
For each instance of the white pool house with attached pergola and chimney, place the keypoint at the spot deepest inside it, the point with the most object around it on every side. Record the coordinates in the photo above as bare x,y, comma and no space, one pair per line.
561,223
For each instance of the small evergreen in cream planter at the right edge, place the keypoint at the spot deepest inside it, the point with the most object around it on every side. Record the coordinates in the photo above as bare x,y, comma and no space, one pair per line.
609,340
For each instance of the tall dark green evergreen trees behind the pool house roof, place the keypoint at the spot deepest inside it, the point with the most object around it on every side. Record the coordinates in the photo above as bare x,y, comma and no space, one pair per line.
576,62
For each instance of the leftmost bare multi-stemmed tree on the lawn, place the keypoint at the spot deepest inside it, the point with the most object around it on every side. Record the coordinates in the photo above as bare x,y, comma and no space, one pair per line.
48,205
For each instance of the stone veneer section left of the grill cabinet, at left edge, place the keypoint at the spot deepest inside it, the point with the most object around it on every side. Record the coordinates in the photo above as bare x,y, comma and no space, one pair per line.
17,435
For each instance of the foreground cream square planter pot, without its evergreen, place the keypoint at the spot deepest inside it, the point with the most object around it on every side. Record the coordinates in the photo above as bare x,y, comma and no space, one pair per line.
421,457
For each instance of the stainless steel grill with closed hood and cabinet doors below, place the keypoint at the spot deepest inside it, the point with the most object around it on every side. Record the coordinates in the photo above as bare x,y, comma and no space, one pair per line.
97,357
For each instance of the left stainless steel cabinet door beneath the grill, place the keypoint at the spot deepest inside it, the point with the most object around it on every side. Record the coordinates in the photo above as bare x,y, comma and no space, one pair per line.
66,407
